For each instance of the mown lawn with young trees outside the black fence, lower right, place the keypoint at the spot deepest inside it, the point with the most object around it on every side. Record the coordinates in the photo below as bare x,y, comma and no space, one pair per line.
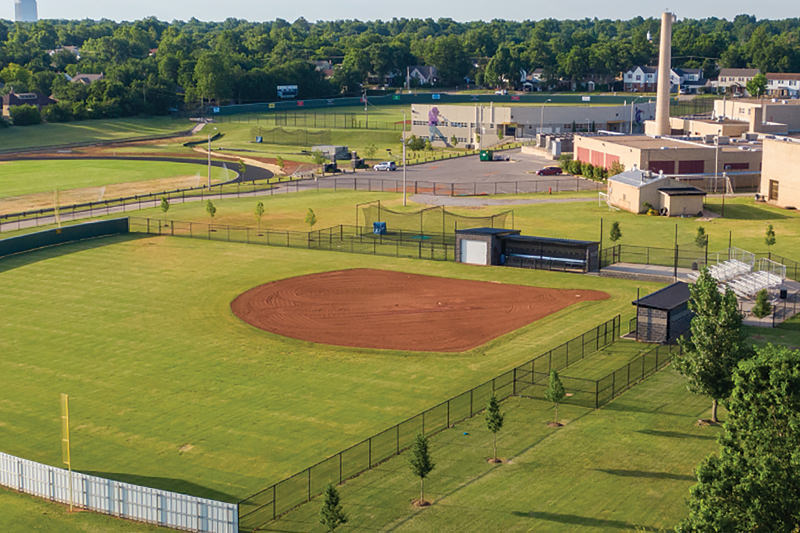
625,467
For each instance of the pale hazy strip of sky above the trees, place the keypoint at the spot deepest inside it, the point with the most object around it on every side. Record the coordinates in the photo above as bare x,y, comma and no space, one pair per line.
461,10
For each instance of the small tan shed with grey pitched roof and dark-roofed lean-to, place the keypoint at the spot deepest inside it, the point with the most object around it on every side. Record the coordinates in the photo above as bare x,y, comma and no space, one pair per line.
638,191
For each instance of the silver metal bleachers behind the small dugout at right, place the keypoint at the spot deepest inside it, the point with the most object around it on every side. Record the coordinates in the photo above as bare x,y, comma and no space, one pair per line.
738,270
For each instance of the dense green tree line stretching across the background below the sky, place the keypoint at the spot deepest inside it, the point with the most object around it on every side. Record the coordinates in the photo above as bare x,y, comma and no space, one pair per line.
153,67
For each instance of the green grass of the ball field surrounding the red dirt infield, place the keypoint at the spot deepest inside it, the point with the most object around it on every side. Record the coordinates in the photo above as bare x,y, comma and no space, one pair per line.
170,390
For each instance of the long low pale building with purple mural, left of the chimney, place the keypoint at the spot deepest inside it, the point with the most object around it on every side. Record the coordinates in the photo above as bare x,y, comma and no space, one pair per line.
484,125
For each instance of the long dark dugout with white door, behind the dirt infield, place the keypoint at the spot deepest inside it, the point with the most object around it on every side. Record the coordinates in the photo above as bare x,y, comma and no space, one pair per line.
493,246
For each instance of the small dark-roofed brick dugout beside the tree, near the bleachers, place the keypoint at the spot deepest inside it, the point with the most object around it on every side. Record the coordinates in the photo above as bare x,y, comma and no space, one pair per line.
664,315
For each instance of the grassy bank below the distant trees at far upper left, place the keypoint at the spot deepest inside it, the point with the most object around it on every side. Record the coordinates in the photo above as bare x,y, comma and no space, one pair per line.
44,135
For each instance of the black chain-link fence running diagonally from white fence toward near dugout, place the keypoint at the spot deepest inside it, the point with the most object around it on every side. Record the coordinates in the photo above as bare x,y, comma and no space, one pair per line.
266,505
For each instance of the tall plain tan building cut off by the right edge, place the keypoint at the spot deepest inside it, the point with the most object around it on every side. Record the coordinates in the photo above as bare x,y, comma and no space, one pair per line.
780,179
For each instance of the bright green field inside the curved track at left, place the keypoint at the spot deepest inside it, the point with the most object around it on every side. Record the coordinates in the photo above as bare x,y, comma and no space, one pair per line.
18,178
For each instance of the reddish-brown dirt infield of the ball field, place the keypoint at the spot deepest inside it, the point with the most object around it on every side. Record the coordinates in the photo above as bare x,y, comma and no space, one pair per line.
393,310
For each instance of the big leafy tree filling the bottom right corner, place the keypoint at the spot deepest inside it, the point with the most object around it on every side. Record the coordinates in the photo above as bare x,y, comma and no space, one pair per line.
753,483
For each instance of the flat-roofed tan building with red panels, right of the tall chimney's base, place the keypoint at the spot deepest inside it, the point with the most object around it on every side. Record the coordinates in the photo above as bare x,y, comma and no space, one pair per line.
670,156
